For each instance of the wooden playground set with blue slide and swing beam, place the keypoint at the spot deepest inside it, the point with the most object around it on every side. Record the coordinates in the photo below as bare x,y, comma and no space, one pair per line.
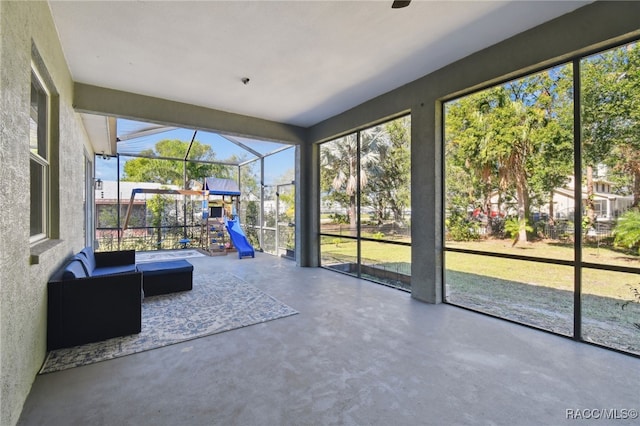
220,230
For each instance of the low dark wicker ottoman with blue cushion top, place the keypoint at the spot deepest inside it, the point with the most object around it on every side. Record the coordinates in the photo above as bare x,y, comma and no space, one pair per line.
166,277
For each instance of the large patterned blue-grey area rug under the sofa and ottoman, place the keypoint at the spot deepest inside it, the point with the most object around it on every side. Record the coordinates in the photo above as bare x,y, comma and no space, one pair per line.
217,303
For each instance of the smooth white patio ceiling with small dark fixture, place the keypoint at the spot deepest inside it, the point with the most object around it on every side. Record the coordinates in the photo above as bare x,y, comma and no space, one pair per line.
306,60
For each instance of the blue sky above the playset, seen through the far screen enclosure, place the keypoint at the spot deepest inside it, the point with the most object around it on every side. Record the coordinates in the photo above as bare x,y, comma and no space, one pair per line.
276,165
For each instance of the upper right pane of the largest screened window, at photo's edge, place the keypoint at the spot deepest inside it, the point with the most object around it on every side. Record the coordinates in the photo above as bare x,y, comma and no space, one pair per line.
610,89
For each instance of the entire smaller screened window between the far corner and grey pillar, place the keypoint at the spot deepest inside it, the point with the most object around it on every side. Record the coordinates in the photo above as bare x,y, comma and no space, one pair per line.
365,216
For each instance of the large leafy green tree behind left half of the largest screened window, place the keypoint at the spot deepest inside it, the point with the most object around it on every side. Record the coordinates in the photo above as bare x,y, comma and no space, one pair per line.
502,136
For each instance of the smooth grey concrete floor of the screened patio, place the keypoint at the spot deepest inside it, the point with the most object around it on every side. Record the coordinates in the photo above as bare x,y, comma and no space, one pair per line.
357,354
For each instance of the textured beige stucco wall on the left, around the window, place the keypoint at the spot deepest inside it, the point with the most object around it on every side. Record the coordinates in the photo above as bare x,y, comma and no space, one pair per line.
23,292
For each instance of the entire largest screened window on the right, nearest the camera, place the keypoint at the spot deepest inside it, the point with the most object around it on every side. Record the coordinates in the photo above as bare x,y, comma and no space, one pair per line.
540,201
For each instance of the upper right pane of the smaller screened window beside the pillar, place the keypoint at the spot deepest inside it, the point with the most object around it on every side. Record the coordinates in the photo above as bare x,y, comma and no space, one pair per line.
385,180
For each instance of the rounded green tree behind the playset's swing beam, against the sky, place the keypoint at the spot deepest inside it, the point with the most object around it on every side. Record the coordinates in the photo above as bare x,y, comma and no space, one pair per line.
171,172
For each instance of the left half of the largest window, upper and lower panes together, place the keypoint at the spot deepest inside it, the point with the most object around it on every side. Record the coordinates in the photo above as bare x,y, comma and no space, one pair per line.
509,188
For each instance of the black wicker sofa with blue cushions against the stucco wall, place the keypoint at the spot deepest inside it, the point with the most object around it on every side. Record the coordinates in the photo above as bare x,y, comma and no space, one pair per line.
95,296
